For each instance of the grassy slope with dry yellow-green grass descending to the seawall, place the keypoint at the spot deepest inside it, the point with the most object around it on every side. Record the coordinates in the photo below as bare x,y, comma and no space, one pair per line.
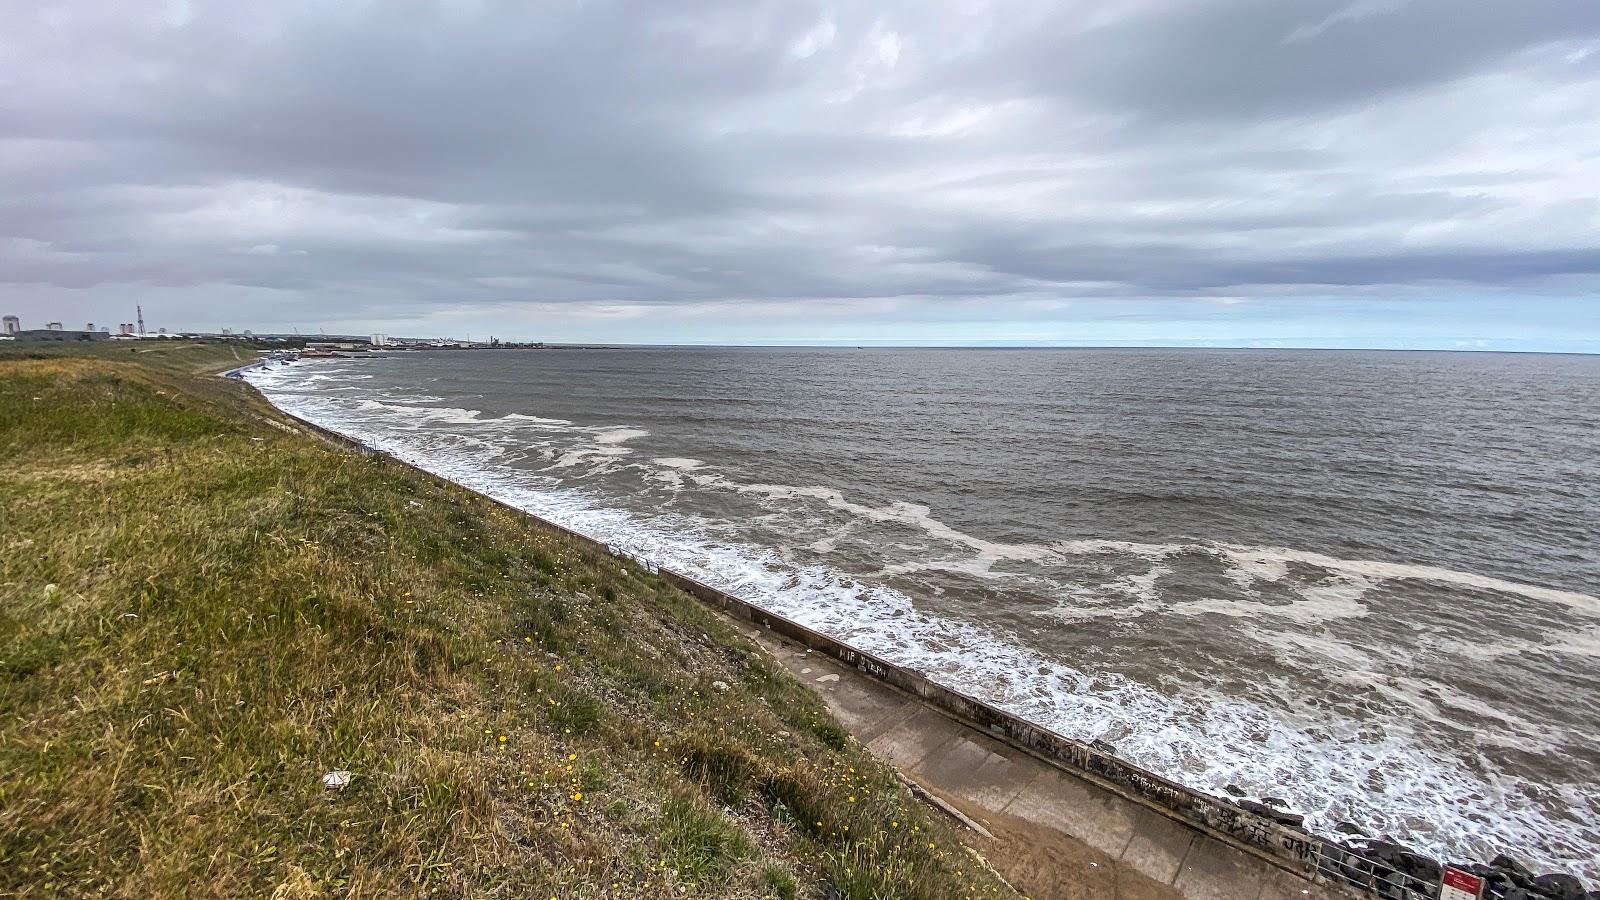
202,613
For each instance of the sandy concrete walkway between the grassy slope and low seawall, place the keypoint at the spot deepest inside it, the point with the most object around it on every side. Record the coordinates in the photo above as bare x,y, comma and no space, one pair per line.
1055,835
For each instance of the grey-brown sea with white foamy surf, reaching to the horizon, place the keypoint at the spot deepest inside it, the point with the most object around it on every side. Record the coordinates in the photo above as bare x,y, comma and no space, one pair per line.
1364,582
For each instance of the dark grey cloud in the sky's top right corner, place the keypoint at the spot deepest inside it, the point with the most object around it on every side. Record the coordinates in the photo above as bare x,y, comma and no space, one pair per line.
1244,58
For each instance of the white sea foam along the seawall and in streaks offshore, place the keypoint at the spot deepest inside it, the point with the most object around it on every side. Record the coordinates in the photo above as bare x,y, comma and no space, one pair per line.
1329,766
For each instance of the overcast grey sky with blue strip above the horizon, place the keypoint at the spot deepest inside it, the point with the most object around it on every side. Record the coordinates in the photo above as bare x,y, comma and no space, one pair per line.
1398,174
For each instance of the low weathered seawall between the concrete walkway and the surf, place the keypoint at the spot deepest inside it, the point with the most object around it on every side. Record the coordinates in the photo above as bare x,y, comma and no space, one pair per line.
1292,850
